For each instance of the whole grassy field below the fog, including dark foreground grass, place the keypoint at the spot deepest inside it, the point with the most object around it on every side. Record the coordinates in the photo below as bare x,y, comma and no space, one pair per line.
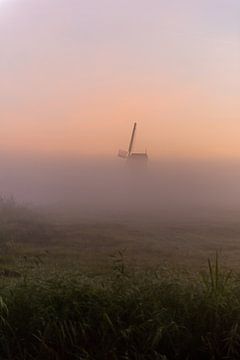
118,288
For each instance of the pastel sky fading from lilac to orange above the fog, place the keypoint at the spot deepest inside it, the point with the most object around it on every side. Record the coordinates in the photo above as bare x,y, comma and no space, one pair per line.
75,75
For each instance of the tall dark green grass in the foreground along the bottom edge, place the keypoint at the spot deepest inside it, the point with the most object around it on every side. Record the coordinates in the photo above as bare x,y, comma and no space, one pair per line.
121,315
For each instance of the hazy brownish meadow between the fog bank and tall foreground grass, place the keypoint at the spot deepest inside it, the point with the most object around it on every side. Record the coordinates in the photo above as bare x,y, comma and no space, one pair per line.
90,243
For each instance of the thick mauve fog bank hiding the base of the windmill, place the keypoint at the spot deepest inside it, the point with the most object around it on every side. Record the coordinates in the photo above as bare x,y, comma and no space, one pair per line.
107,186
